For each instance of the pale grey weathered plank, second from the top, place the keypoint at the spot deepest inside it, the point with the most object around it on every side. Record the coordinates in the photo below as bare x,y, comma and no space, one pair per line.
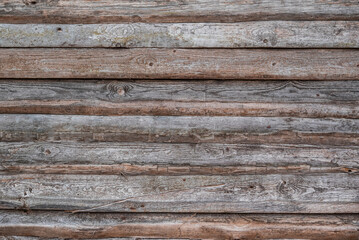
263,34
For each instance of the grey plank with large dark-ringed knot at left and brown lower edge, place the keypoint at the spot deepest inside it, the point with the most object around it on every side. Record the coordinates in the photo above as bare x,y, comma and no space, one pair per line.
314,99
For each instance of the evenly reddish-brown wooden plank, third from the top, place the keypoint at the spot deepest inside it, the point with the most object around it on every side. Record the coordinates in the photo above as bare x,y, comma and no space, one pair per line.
149,63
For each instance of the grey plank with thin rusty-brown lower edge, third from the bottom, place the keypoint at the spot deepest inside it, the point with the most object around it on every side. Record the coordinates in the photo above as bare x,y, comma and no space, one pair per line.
175,159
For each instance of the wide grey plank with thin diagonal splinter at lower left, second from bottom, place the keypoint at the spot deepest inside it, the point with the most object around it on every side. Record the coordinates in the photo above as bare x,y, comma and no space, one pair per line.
324,193
